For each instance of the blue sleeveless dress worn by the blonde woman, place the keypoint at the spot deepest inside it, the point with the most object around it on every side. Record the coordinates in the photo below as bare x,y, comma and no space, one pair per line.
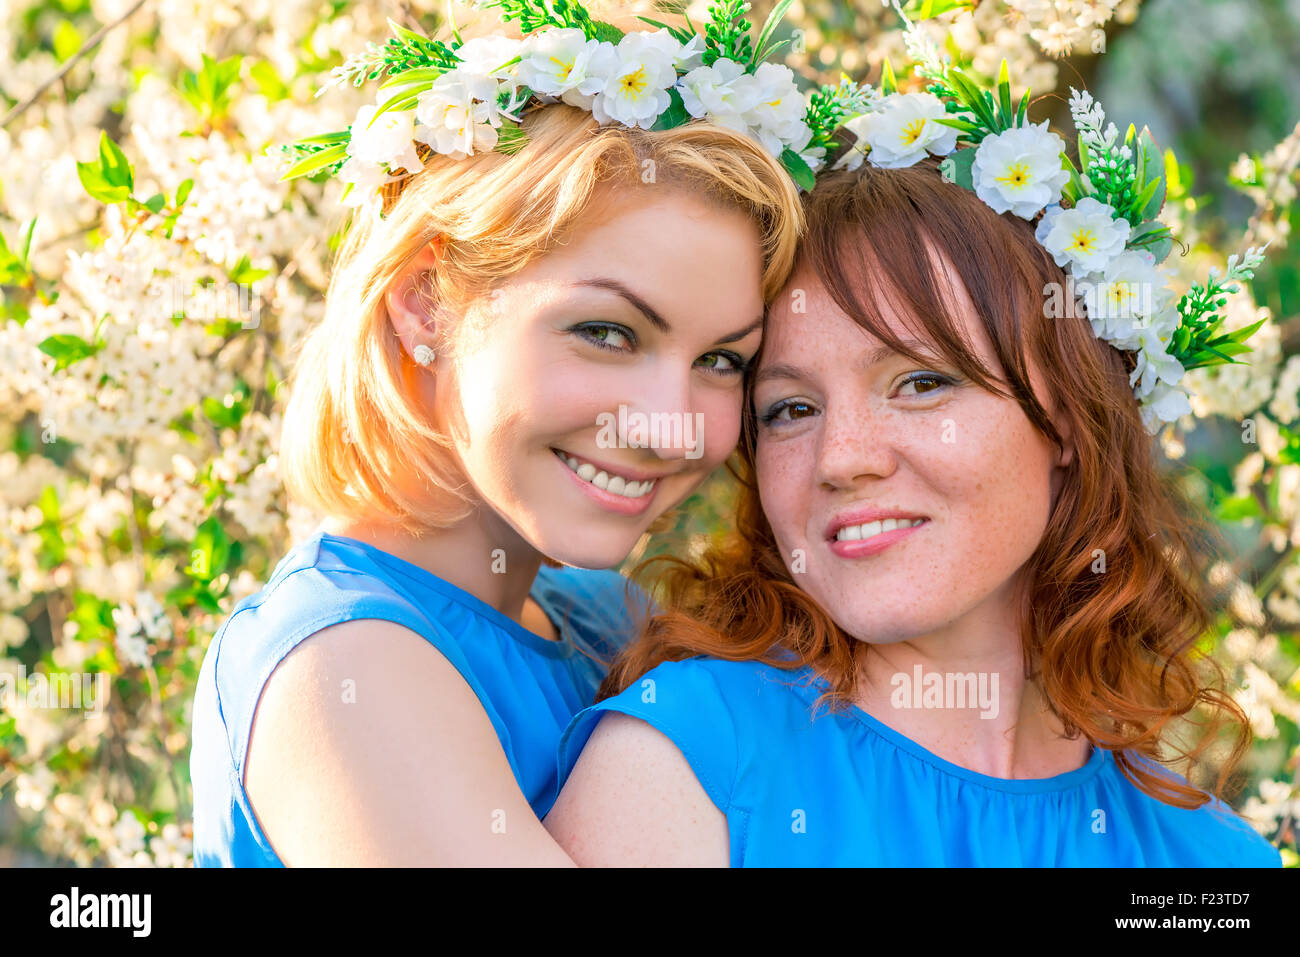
530,687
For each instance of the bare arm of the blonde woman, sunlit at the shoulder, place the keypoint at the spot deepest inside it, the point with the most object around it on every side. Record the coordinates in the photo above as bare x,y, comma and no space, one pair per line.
370,750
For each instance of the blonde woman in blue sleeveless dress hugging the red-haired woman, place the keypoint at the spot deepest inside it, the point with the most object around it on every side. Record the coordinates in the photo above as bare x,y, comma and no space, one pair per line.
466,418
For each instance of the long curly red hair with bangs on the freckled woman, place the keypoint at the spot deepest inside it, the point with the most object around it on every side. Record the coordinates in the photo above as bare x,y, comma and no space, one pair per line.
1116,655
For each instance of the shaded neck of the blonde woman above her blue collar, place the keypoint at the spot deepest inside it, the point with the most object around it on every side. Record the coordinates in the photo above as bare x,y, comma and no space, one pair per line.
482,556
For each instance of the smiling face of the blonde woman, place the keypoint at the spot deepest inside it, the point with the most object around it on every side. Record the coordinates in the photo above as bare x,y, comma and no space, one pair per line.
599,387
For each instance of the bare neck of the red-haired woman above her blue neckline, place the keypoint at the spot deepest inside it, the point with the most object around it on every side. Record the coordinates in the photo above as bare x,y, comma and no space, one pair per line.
974,707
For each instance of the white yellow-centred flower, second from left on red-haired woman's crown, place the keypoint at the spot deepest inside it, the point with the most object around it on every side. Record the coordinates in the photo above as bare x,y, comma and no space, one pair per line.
1020,171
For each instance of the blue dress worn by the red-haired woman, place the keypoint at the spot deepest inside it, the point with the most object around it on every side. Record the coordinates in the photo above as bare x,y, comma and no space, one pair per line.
850,791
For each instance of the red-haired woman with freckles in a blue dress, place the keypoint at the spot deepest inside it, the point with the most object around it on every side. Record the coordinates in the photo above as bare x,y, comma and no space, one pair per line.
952,531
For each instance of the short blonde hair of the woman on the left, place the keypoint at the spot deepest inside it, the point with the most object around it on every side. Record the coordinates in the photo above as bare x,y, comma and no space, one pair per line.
354,430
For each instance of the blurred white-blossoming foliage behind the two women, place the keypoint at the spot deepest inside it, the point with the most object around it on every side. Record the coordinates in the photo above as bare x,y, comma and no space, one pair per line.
140,401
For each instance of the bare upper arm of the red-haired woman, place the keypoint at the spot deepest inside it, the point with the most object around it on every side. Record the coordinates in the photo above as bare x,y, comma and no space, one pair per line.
632,800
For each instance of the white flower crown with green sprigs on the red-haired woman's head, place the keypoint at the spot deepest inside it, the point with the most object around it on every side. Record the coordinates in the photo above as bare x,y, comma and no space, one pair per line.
1100,219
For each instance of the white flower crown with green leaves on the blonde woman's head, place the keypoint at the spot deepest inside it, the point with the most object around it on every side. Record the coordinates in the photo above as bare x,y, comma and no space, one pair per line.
461,98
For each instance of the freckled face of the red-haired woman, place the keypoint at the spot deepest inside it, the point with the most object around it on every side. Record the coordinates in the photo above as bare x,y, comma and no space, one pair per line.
852,435
